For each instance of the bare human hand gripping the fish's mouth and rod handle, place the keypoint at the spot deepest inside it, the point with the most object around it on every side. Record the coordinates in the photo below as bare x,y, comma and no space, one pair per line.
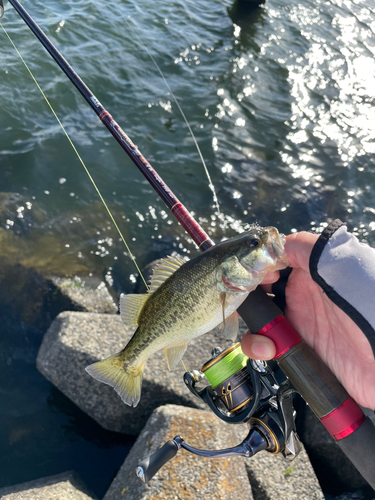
324,326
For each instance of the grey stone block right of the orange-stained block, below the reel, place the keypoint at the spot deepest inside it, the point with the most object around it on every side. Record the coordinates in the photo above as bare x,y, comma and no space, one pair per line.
273,478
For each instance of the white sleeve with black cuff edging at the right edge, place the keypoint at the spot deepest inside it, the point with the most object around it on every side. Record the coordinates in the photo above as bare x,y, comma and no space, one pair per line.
345,269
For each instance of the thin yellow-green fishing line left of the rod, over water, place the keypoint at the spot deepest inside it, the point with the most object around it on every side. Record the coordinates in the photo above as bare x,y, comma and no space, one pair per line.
78,155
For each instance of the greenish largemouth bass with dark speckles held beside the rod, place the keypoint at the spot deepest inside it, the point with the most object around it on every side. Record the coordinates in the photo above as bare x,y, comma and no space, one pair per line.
185,301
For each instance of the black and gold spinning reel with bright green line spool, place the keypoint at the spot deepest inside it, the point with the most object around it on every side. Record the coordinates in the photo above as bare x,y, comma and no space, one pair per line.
240,390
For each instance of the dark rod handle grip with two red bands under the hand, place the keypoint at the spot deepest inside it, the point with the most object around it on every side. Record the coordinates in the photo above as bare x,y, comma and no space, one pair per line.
327,398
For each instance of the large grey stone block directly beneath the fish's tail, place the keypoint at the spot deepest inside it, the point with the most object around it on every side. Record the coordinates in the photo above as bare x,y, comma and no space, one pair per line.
76,339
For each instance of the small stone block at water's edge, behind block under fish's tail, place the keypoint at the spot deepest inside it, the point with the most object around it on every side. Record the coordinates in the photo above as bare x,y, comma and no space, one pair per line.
85,294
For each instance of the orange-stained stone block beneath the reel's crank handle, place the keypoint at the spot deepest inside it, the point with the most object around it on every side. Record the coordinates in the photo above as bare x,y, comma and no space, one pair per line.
186,476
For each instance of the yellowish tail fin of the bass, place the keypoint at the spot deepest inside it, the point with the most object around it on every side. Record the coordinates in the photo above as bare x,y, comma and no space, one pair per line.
127,383
